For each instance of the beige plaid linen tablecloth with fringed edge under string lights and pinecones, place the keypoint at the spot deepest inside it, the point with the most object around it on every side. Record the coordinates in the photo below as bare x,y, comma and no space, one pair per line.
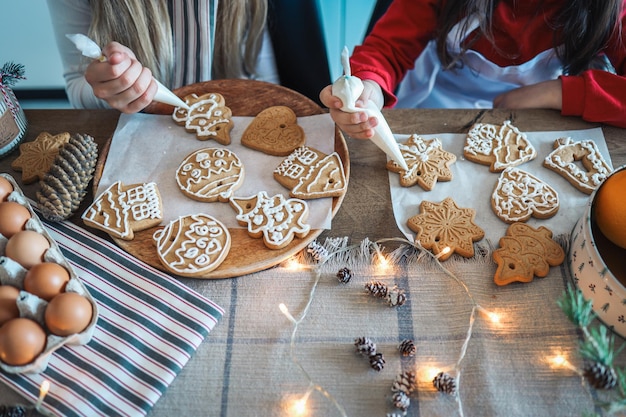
249,366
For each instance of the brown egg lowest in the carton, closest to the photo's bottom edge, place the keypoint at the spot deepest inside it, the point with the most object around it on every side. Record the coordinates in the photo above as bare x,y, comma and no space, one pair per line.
21,341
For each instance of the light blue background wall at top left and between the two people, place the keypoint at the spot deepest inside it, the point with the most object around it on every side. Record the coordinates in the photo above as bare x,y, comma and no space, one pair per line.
26,37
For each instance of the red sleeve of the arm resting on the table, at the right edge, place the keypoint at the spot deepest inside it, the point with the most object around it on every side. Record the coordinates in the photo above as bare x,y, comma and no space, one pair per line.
600,96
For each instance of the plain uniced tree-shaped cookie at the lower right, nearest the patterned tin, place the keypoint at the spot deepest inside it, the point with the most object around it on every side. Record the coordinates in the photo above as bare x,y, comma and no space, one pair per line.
526,252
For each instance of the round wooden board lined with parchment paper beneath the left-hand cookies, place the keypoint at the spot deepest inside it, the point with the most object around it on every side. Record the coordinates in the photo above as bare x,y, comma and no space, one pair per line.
247,100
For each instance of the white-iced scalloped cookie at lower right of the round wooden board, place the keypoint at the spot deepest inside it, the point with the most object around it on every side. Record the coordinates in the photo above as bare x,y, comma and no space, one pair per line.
276,219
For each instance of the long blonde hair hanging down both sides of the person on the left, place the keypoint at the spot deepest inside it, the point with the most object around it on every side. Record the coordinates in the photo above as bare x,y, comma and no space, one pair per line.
144,27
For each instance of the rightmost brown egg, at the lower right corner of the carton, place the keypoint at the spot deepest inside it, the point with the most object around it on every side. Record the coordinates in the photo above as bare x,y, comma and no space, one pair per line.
68,313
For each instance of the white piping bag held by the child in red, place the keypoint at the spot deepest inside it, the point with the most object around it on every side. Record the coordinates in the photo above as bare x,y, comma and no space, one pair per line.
348,88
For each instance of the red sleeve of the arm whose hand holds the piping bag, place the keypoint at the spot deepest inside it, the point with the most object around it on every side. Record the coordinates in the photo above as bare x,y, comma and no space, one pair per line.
404,30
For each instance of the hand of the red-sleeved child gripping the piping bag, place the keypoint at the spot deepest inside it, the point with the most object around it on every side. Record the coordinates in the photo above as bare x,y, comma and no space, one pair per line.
357,125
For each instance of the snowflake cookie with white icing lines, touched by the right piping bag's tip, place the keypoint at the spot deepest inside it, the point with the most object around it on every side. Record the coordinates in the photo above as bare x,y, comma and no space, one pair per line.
427,161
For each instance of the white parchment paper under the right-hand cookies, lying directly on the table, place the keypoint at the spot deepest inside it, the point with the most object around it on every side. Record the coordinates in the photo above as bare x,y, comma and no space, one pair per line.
472,185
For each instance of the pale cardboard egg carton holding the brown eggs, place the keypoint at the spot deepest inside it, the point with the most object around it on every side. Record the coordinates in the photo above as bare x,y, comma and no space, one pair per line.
33,307
